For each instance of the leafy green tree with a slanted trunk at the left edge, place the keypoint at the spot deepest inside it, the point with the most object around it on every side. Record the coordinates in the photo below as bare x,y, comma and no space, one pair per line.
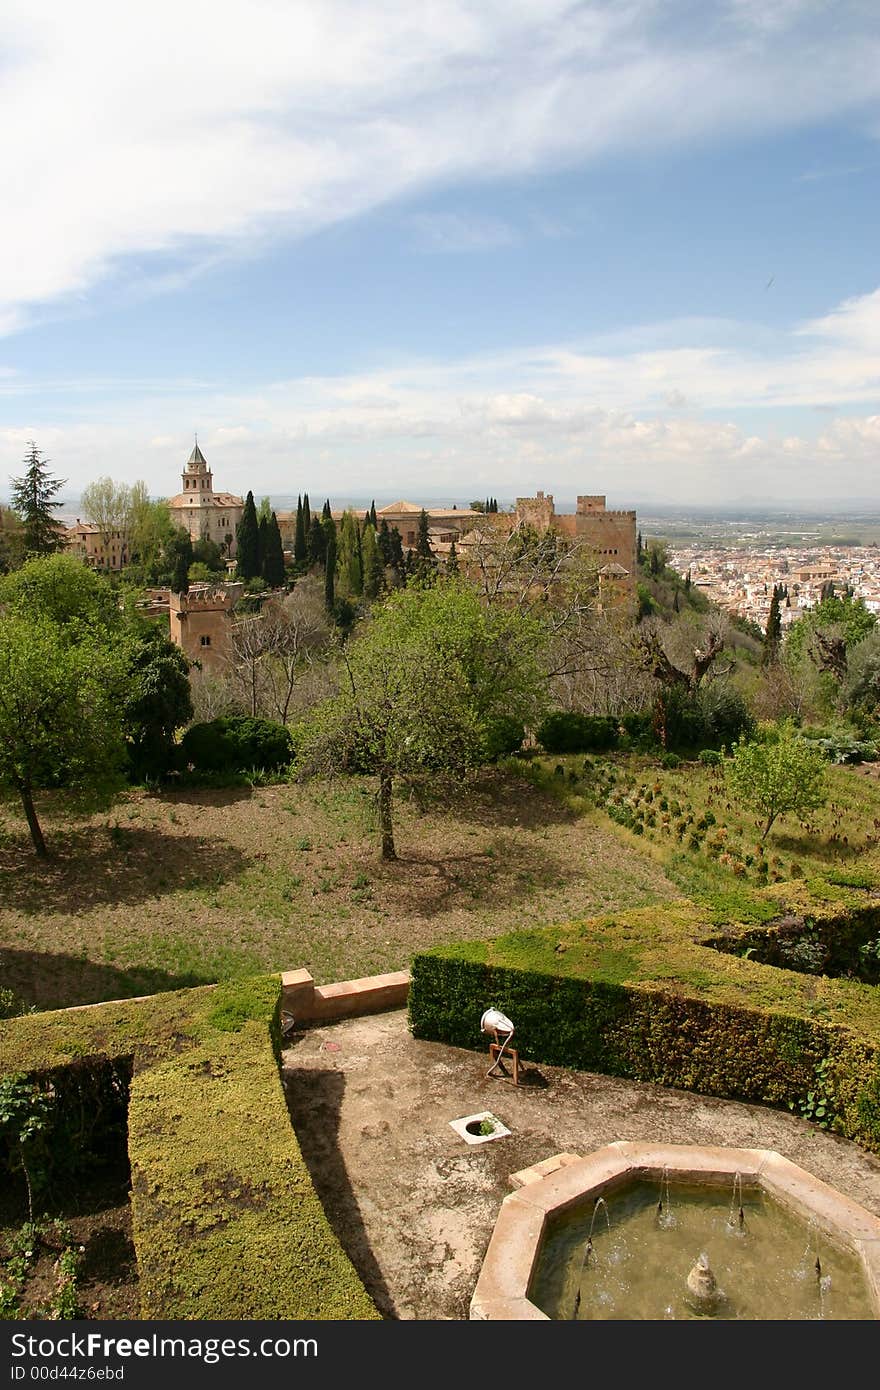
60,711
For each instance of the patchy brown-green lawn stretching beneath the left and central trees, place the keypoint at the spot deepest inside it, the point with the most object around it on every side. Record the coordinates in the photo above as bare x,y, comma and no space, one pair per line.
187,888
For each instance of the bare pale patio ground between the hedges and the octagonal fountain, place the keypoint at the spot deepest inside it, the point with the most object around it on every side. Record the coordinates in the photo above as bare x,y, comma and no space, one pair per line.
415,1206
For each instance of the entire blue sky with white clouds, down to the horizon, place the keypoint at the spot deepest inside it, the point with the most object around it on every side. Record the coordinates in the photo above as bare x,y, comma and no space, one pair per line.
446,250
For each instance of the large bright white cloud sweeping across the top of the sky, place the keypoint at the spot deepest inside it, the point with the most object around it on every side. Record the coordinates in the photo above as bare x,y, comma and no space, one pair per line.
195,131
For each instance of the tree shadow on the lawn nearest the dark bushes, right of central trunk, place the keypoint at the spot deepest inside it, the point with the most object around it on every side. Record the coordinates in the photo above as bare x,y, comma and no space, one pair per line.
493,799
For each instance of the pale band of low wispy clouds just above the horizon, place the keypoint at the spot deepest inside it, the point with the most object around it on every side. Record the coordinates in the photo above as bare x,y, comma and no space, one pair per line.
575,416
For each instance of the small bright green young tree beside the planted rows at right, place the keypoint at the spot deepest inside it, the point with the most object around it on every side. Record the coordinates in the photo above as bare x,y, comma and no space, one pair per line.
788,775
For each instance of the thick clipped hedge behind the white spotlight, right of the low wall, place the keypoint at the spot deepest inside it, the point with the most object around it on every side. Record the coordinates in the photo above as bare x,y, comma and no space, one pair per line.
643,996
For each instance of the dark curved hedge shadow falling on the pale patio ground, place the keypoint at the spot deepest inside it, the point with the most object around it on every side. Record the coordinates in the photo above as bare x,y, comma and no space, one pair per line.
315,1104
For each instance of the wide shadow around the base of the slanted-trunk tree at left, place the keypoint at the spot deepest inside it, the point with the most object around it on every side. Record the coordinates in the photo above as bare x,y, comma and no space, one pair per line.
98,867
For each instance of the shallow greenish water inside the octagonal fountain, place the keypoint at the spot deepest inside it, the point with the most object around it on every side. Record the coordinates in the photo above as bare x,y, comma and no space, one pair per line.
628,1267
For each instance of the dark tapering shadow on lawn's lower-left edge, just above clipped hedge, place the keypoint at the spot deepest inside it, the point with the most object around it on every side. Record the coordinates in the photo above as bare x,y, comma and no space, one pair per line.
52,981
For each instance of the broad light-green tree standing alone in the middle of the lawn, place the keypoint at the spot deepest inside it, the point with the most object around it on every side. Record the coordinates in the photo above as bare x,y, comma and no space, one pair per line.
423,690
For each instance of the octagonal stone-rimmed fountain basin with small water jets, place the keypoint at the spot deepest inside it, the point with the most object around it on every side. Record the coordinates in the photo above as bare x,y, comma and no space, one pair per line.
654,1232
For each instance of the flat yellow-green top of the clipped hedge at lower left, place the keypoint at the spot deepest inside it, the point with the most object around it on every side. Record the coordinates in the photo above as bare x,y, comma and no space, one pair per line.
227,1223
